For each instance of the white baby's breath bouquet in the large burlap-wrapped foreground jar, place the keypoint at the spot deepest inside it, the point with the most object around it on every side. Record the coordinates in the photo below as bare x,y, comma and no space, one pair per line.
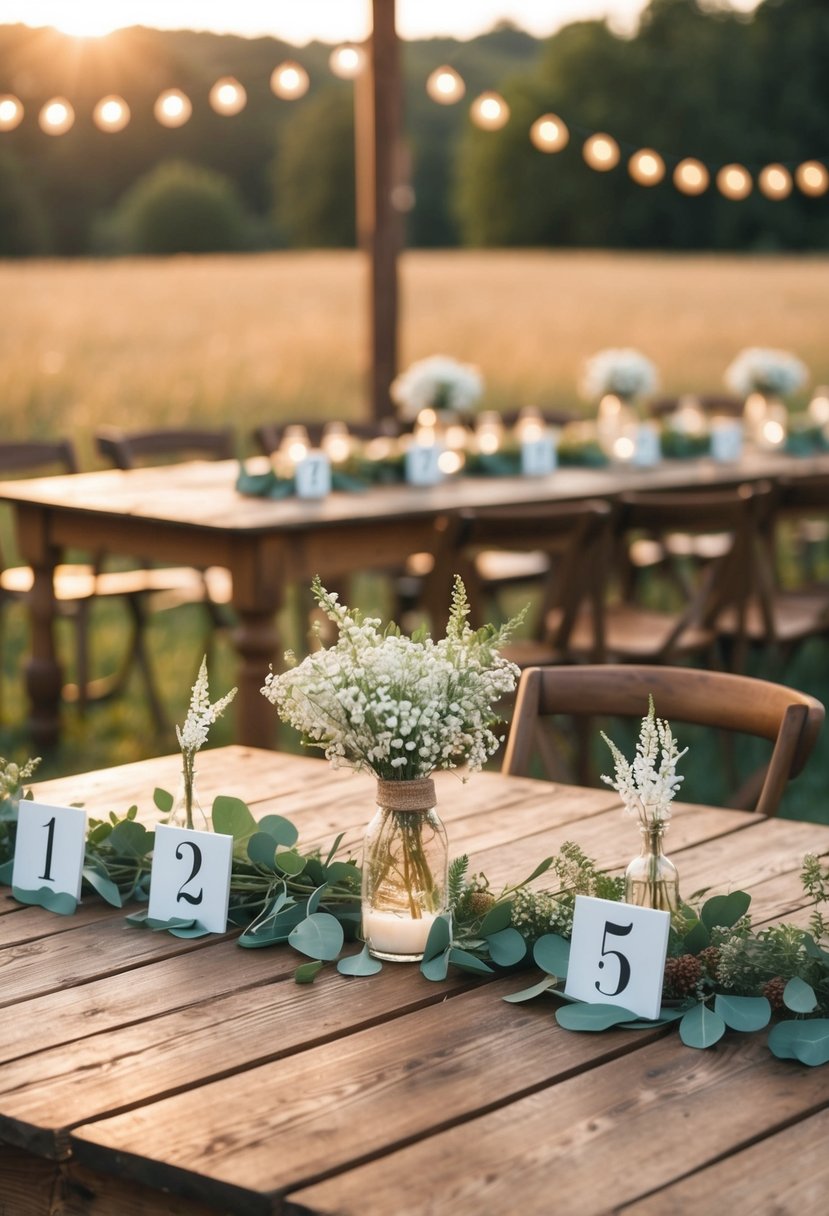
398,707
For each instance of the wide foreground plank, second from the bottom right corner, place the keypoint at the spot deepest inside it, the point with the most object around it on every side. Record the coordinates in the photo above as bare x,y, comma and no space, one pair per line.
591,1144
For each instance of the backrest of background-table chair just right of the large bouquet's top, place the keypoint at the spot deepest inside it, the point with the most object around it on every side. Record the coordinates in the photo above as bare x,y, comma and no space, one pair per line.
577,538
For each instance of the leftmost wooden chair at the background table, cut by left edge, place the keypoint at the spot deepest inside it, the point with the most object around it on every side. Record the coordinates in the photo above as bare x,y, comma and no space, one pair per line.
80,586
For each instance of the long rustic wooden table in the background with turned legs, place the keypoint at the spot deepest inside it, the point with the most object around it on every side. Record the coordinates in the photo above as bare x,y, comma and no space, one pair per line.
194,513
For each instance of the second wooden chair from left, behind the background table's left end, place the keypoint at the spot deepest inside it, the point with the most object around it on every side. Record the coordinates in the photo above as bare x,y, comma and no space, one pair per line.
176,587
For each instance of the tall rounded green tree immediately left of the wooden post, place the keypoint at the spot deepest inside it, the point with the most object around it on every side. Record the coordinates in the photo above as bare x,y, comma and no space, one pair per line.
314,190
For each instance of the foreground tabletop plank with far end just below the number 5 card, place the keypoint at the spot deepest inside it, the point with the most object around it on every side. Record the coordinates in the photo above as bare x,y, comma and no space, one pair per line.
347,1101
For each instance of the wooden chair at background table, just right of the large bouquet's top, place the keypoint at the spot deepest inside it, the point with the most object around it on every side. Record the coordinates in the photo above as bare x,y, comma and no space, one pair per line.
572,544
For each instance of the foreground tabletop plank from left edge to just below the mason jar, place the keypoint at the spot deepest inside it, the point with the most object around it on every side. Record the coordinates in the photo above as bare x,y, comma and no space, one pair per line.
44,1095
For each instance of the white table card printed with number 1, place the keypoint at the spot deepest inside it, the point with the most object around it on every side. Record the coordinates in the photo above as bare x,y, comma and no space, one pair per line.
49,852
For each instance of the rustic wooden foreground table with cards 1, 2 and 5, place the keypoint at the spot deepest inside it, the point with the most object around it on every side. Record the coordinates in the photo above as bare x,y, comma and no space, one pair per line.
144,1074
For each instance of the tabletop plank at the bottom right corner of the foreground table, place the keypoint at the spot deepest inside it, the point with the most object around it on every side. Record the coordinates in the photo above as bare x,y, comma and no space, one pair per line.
787,1173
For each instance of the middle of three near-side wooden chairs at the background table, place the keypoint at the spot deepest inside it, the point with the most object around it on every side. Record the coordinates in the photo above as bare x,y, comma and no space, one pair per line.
696,594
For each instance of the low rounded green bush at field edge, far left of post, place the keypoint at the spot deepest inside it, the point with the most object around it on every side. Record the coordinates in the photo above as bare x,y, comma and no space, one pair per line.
182,209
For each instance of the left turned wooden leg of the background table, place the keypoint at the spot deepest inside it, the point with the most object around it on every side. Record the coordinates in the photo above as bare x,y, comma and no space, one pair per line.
43,673
